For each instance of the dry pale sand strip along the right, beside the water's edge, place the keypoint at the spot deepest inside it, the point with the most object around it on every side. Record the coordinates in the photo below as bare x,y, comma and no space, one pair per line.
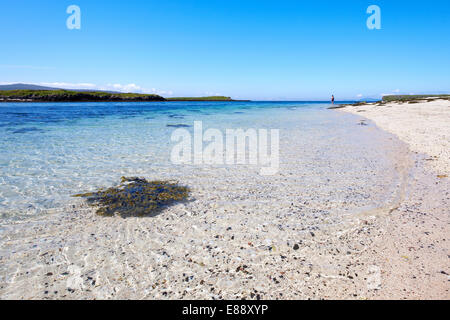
414,248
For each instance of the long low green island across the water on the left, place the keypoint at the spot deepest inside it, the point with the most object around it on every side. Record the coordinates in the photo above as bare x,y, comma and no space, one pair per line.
90,96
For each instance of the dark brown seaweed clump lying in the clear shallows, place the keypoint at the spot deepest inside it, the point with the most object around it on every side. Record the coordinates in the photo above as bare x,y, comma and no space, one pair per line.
136,197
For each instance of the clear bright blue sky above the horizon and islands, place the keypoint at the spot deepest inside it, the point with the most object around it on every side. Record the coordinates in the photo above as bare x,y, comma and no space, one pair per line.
261,50
